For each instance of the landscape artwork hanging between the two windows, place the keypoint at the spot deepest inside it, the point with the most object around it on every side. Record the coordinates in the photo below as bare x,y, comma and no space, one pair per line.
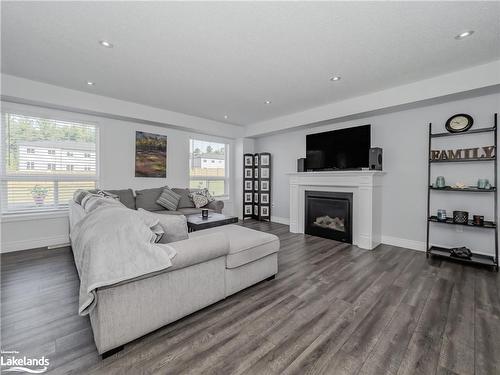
150,155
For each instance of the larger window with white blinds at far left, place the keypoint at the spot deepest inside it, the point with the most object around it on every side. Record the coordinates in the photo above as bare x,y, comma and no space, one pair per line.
48,180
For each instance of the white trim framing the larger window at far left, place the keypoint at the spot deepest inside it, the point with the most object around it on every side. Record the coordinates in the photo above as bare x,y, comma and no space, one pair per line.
24,110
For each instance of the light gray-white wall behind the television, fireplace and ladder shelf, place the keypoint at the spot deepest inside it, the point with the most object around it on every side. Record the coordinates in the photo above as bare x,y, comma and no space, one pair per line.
403,137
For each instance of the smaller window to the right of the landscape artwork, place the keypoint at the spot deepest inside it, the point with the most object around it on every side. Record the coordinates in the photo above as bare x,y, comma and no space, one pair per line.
212,176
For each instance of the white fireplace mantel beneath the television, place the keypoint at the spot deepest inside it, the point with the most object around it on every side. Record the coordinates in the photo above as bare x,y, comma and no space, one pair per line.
366,187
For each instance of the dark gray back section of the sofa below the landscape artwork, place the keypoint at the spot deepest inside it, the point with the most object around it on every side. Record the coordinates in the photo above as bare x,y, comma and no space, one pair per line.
146,199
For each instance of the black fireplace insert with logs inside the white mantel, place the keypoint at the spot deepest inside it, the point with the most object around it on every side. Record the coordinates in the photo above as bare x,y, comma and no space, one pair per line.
329,215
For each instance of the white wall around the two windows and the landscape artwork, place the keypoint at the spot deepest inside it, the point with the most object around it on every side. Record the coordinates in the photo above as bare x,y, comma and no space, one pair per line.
116,164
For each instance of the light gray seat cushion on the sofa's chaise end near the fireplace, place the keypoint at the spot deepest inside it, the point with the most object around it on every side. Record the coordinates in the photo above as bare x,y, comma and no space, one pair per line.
245,245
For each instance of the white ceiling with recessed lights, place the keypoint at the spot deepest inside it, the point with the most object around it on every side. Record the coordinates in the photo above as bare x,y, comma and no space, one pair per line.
215,58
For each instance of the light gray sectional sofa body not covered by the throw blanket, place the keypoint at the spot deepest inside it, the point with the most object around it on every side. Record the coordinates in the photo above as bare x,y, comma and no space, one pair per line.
209,266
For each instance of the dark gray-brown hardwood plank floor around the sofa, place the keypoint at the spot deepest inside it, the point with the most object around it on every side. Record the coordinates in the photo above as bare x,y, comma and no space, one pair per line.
333,309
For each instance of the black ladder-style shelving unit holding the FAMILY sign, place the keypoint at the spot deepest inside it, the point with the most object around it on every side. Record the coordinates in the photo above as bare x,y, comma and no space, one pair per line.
478,259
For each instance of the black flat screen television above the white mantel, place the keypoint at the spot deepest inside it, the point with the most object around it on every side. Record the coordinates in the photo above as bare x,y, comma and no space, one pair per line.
339,149
